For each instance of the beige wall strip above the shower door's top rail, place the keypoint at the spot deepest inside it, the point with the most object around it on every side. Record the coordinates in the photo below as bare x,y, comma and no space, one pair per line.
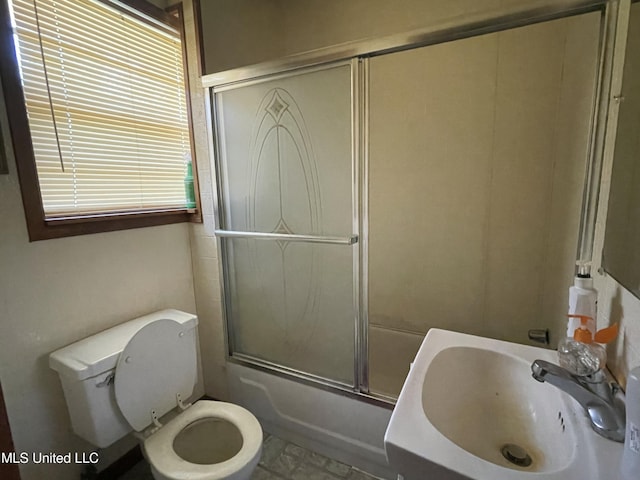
243,32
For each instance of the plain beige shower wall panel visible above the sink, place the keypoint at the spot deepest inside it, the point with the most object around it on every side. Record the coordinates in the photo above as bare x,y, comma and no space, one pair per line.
478,151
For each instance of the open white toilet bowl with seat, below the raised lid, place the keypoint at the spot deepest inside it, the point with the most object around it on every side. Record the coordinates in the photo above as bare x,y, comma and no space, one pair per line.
208,441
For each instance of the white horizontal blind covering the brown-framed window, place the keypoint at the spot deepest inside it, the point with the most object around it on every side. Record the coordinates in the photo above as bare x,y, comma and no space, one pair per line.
106,103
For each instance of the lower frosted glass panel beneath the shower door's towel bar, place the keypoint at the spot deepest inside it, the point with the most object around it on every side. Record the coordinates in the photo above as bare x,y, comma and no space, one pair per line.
292,304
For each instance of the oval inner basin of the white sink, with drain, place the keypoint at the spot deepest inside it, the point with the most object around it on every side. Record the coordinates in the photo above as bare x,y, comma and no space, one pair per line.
497,403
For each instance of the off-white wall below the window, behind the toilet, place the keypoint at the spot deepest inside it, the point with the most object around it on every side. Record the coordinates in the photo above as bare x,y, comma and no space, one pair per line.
55,292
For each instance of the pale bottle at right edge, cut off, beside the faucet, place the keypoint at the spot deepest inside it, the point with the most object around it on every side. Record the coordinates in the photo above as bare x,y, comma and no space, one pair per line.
630,466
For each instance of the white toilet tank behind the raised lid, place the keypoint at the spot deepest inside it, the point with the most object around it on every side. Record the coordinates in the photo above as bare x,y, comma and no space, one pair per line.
87,370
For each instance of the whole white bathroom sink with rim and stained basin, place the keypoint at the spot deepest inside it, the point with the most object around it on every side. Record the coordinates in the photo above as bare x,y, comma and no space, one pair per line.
469,408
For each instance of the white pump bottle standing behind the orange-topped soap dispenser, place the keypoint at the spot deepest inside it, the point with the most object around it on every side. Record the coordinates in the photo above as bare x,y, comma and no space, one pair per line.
583,300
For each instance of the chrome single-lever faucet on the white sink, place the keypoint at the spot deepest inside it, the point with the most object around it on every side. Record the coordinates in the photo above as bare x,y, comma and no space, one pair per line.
596,395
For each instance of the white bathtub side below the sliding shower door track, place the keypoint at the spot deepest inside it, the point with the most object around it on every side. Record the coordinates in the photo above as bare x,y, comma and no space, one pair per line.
340,427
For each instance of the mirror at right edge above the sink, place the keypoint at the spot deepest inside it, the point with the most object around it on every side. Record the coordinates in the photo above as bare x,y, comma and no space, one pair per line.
621,256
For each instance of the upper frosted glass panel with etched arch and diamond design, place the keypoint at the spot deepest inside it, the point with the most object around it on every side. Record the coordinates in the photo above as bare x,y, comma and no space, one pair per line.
286,154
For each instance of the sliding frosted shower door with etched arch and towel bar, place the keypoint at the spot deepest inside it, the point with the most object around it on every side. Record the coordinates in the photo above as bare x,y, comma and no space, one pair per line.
288,220
